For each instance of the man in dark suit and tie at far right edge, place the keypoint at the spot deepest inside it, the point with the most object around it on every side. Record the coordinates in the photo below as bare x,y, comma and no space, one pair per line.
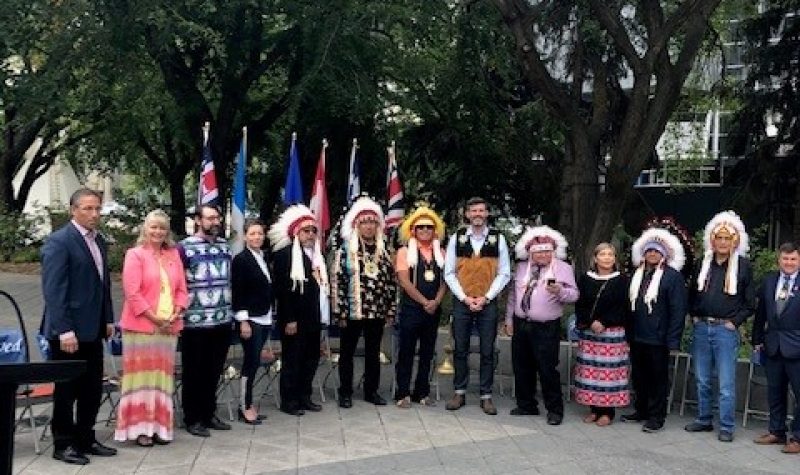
776,332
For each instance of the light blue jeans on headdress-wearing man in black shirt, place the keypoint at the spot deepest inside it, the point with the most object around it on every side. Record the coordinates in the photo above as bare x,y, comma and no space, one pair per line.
715,345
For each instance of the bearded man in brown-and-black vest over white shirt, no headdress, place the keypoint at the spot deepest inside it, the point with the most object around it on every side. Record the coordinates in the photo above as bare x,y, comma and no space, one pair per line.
476,269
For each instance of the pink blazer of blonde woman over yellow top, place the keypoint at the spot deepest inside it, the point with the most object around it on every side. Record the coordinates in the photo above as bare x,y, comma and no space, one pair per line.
141,286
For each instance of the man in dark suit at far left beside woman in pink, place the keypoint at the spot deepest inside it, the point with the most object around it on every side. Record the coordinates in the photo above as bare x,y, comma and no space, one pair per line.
77,317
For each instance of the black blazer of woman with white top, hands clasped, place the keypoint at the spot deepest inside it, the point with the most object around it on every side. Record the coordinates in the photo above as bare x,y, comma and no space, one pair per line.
250,288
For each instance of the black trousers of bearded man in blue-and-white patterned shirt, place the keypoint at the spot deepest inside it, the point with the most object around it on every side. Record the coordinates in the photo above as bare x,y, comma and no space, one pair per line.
203,355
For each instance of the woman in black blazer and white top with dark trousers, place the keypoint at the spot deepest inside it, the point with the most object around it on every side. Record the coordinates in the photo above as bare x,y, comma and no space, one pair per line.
253,303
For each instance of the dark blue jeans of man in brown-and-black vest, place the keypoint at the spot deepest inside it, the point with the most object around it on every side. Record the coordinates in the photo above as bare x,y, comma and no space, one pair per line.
486,321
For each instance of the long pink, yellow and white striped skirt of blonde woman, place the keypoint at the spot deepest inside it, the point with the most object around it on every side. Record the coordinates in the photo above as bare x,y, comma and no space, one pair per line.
148,368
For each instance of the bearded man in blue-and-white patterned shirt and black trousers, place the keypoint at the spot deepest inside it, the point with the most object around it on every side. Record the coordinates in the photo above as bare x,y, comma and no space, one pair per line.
207,321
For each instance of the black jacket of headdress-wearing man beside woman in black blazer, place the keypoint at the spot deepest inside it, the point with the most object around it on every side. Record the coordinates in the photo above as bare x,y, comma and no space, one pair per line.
294,306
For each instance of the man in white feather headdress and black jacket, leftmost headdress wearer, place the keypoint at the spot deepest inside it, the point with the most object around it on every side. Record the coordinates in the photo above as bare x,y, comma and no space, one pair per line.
301,289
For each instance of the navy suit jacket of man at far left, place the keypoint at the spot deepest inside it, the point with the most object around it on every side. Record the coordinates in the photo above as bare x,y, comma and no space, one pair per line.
75,298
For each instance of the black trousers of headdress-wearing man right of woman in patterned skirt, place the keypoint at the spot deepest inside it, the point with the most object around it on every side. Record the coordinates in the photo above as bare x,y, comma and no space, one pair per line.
650,367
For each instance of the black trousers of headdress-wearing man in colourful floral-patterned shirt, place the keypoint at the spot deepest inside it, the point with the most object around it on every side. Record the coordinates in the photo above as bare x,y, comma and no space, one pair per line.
372,329
